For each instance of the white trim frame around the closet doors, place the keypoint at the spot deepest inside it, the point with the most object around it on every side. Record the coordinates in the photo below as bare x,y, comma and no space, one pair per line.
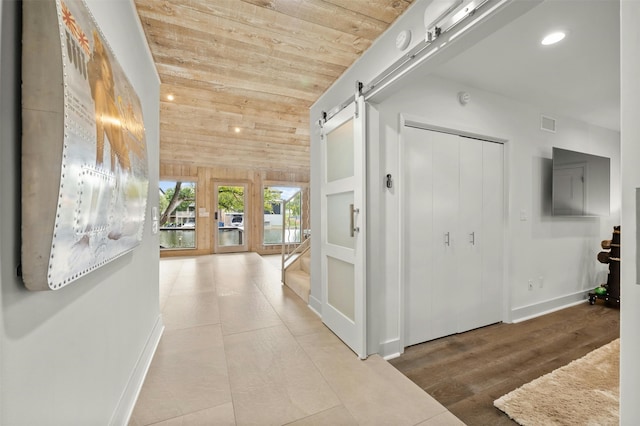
423,123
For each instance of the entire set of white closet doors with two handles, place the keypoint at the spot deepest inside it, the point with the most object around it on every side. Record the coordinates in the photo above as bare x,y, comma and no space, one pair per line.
452,227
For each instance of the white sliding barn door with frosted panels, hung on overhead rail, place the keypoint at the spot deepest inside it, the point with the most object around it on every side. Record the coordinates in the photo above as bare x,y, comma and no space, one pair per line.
343,226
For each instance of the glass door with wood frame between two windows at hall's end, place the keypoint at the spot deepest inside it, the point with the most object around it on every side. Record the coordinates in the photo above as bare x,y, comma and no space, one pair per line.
231,229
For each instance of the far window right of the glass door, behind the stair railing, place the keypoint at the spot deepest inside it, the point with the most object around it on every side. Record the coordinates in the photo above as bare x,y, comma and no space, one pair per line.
282,213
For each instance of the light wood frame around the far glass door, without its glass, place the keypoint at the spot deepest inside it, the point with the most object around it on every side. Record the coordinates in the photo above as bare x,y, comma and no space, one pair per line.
247,232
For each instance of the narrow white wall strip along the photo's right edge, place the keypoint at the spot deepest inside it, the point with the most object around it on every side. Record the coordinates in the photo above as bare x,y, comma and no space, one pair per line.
630,291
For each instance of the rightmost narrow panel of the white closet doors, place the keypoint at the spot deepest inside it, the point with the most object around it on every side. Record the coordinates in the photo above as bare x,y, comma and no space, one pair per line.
493,229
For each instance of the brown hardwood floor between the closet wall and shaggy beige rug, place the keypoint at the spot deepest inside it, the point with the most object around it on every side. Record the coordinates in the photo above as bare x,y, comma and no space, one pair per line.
467,372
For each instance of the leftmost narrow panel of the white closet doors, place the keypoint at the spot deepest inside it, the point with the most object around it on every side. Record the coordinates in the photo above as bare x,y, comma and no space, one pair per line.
418,234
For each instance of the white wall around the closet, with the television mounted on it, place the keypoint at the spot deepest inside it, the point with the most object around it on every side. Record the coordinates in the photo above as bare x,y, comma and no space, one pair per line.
561,250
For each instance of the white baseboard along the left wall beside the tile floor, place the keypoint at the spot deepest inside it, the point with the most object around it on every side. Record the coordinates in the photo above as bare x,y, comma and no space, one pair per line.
123,411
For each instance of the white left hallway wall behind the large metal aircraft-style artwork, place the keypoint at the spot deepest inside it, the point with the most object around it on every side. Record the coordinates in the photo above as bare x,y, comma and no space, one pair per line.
75,356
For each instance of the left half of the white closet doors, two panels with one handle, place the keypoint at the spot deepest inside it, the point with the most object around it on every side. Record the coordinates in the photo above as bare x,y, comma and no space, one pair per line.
431,185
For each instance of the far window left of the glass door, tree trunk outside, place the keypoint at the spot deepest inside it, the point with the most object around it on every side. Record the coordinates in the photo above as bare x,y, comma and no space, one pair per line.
178,215
